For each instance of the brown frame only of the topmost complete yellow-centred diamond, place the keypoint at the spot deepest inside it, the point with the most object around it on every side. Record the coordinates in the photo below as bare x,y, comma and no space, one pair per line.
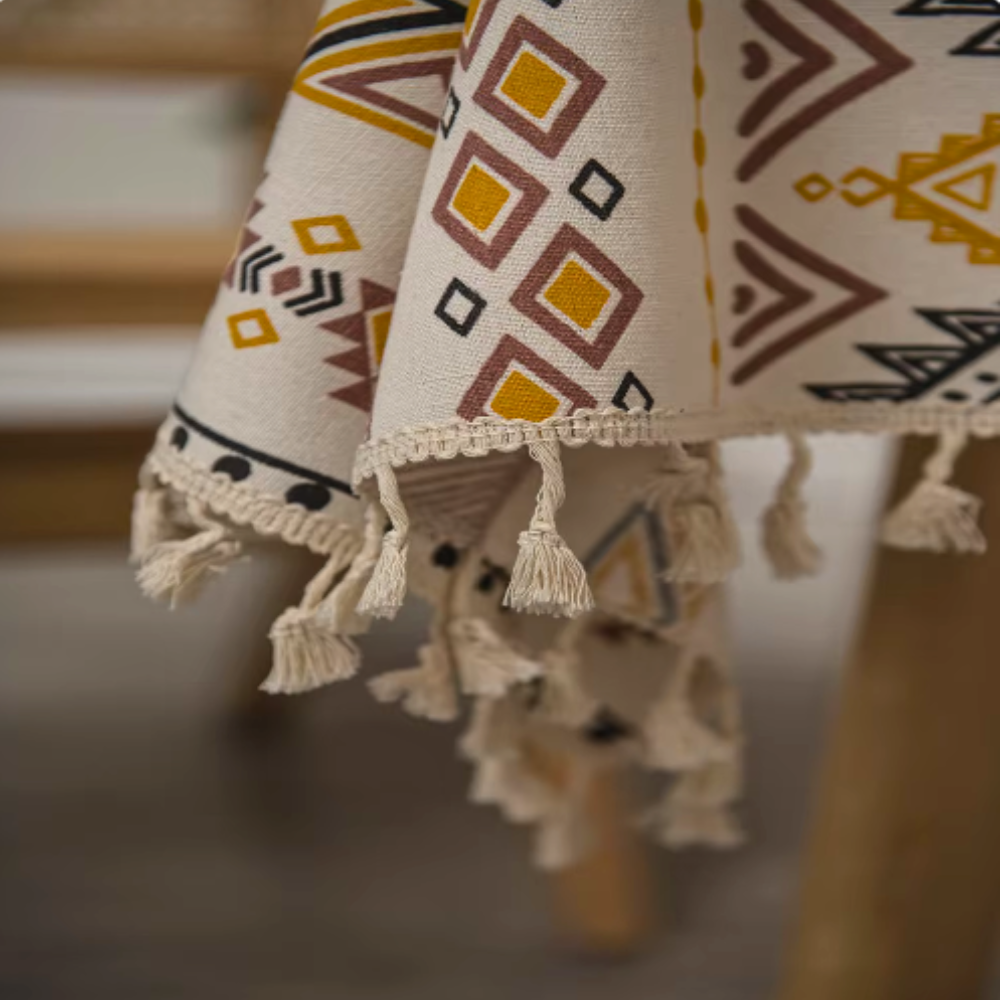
592,84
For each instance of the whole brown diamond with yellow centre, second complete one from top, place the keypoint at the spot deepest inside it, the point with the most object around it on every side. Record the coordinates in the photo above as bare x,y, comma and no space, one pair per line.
487,202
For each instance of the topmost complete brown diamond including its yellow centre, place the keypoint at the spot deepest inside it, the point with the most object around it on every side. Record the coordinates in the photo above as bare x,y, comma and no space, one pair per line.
538,88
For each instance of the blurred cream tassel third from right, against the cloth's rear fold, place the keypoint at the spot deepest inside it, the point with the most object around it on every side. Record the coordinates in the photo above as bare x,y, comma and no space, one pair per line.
704,541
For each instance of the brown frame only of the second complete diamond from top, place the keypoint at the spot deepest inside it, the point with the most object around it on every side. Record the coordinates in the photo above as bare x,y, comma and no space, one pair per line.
489,253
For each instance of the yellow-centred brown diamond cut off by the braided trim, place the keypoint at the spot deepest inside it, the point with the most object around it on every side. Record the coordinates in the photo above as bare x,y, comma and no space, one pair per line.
518,384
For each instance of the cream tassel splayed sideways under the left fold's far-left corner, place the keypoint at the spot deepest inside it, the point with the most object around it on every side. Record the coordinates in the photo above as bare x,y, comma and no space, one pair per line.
177,571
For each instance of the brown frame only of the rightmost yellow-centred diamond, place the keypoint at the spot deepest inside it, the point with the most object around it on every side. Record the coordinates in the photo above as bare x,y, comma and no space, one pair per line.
526,298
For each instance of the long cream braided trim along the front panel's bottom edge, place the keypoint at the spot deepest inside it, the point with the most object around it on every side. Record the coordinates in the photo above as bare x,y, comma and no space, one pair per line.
614,427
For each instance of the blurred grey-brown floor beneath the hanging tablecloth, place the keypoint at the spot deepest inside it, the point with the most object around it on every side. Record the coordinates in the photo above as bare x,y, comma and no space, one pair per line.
150,849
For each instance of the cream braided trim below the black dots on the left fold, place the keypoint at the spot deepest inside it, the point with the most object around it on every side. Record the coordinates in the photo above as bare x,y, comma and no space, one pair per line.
268,516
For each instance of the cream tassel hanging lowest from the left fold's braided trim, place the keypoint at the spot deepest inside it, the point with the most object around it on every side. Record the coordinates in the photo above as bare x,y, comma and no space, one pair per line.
308,654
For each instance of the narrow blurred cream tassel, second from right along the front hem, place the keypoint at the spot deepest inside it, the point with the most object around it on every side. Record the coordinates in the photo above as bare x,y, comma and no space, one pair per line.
786,540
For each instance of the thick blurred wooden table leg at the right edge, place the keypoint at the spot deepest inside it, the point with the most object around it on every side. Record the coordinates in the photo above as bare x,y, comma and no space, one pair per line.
901,891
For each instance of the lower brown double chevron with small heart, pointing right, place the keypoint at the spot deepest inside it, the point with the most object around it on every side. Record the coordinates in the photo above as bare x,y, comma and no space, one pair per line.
787,318
